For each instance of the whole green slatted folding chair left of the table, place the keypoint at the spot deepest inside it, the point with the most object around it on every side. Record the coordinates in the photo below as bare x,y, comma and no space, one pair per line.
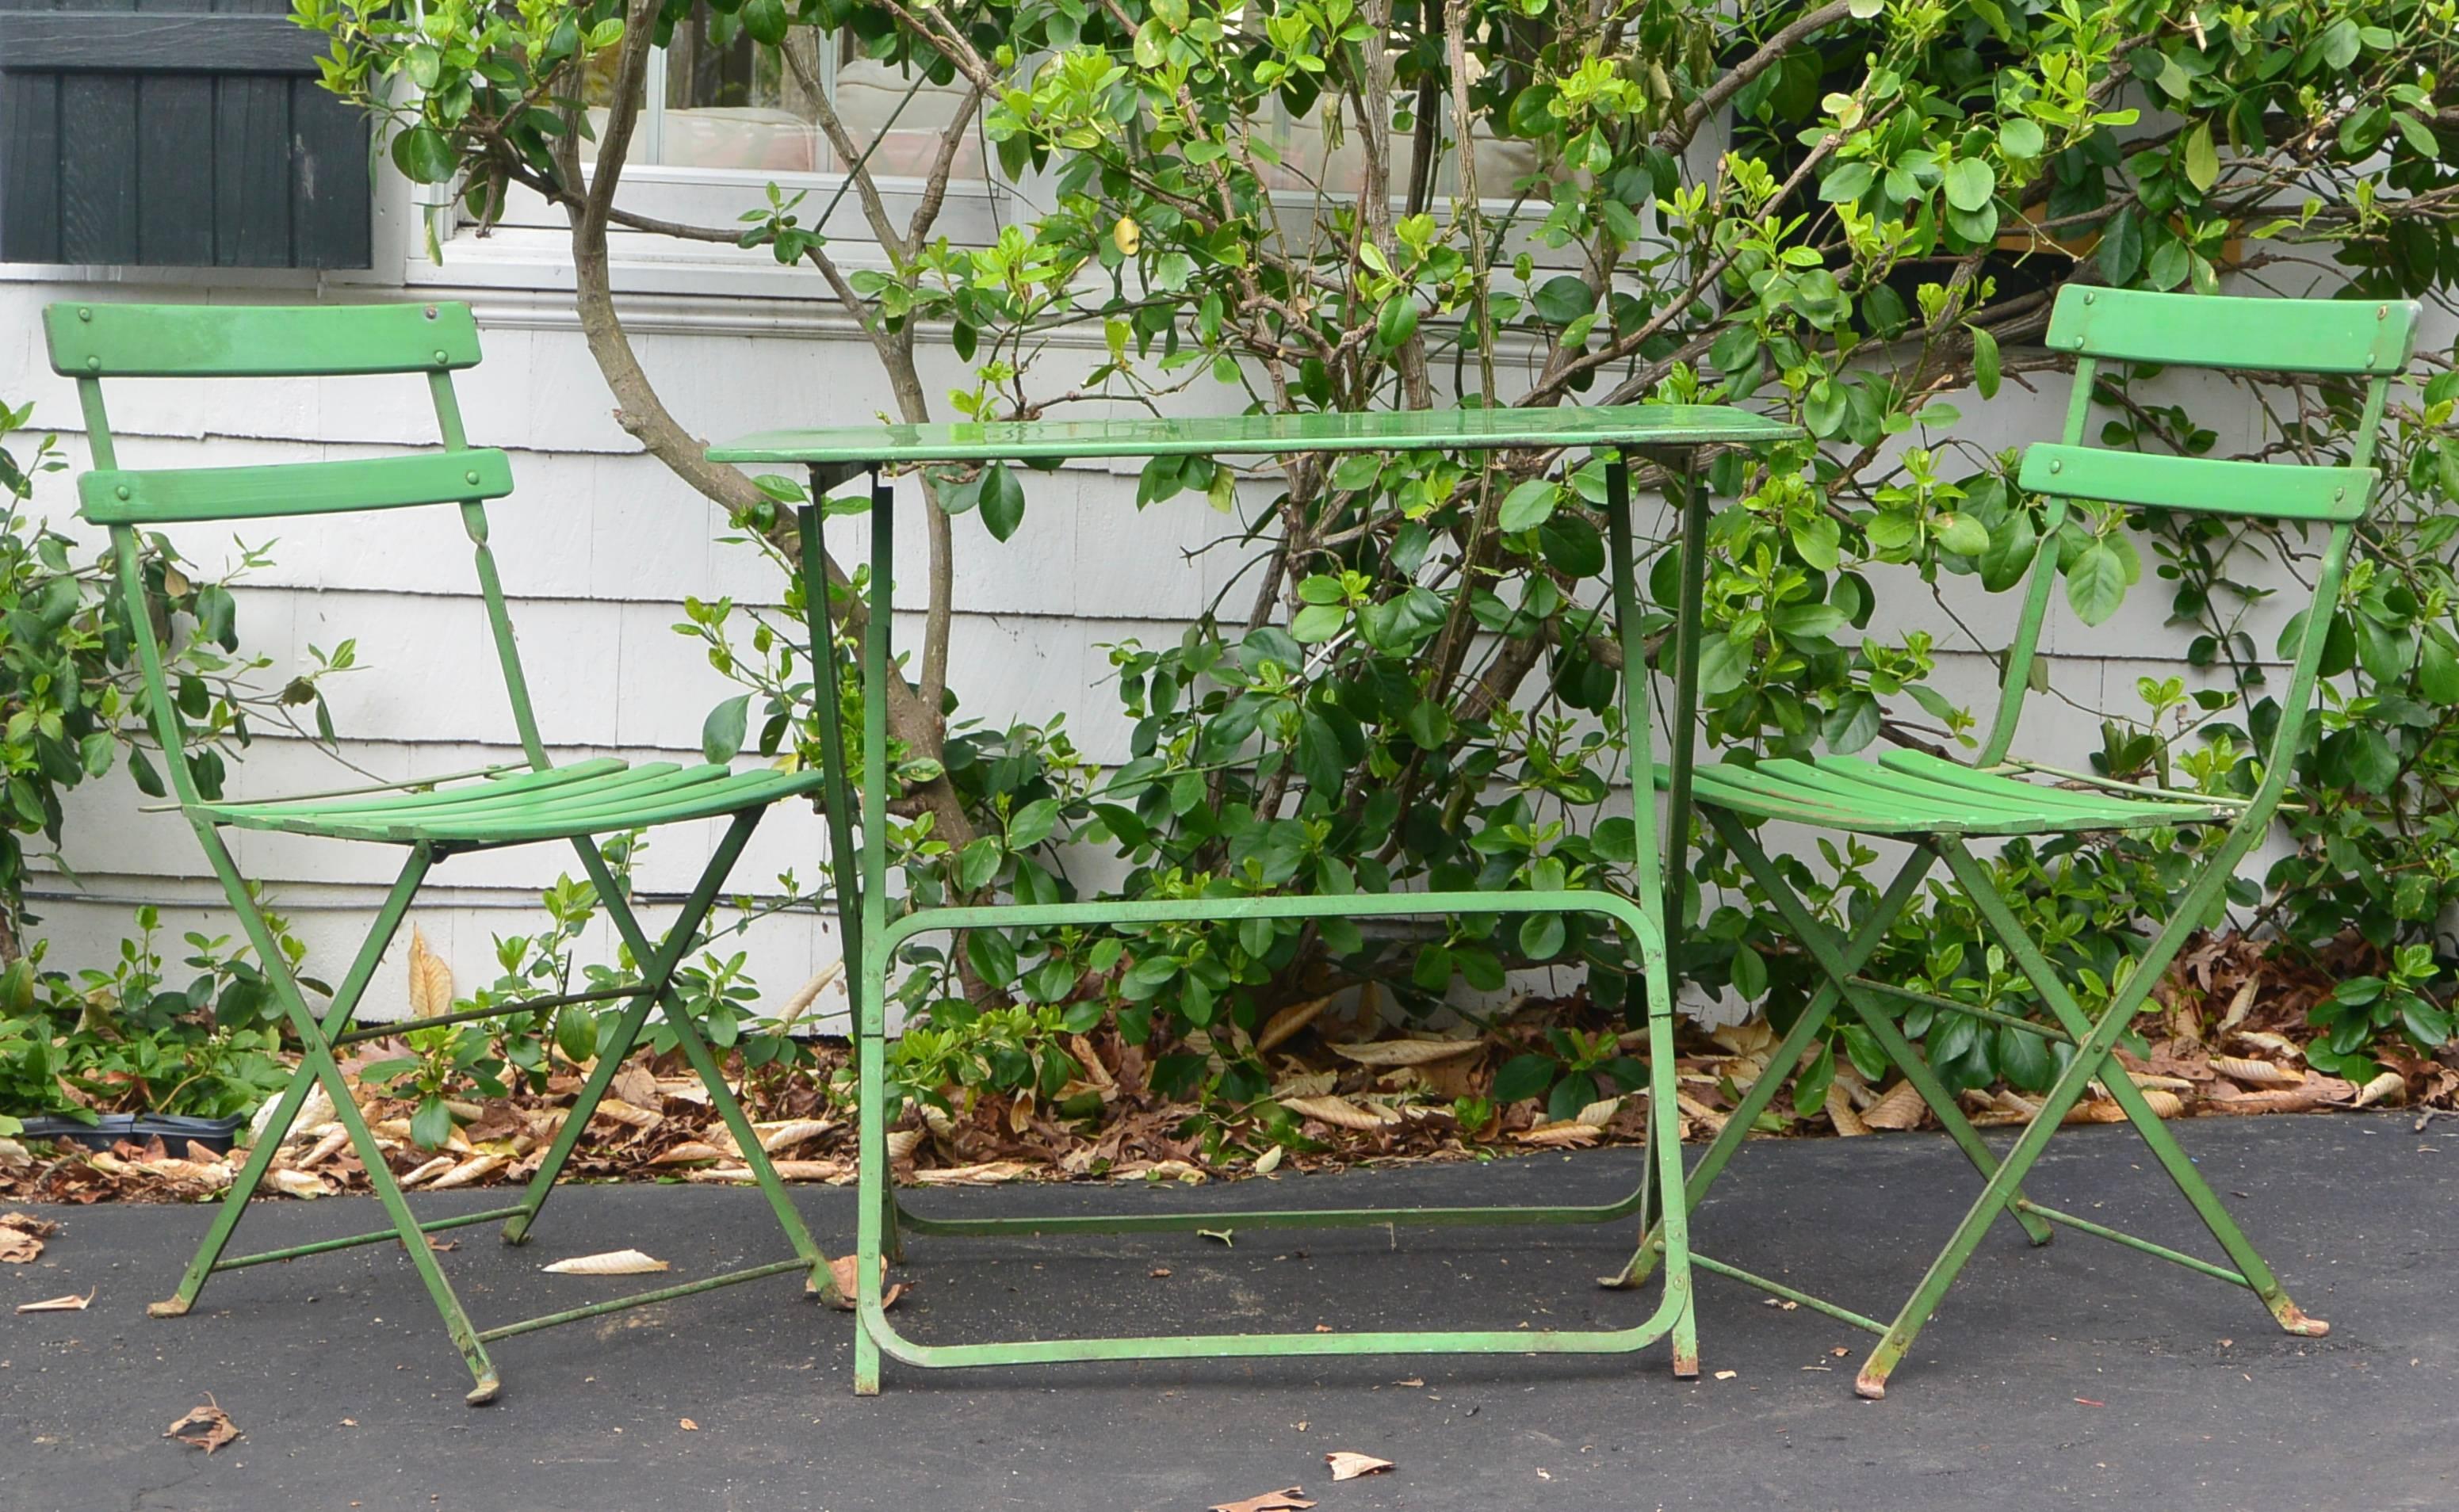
429,820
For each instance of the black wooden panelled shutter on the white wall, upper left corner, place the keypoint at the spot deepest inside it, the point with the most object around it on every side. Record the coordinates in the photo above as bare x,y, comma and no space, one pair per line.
176,134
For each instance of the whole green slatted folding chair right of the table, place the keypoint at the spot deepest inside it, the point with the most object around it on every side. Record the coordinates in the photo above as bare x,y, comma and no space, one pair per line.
1944,805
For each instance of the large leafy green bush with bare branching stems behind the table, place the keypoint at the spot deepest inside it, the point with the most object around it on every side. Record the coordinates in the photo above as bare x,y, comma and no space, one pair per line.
1423,690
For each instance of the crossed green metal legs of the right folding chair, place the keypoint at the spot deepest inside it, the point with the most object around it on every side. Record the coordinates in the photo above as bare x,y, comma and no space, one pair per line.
2094,1041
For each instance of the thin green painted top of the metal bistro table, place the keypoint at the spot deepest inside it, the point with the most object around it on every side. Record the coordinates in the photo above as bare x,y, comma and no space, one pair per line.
1024,441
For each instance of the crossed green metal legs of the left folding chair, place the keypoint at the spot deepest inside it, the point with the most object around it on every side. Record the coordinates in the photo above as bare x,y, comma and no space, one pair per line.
318,1068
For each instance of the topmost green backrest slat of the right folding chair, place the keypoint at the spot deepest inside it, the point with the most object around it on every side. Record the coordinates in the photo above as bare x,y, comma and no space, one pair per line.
2236,333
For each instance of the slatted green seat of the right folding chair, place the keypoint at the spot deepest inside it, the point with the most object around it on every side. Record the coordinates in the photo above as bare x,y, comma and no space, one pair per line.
1909,793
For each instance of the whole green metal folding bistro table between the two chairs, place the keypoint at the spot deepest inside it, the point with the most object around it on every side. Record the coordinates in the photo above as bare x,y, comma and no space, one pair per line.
874,928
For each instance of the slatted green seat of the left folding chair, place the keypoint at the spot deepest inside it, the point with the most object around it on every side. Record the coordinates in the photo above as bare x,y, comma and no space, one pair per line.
582,800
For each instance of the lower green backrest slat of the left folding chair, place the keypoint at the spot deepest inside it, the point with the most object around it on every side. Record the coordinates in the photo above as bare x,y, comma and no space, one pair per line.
171,495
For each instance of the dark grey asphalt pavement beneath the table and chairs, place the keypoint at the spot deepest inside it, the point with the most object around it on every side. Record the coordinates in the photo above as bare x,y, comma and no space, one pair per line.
2054,1378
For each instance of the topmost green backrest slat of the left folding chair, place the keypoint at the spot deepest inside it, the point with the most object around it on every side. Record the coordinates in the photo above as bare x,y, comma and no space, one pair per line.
257,341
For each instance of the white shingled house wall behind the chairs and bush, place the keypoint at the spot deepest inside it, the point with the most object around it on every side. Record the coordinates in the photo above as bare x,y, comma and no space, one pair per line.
601,549
